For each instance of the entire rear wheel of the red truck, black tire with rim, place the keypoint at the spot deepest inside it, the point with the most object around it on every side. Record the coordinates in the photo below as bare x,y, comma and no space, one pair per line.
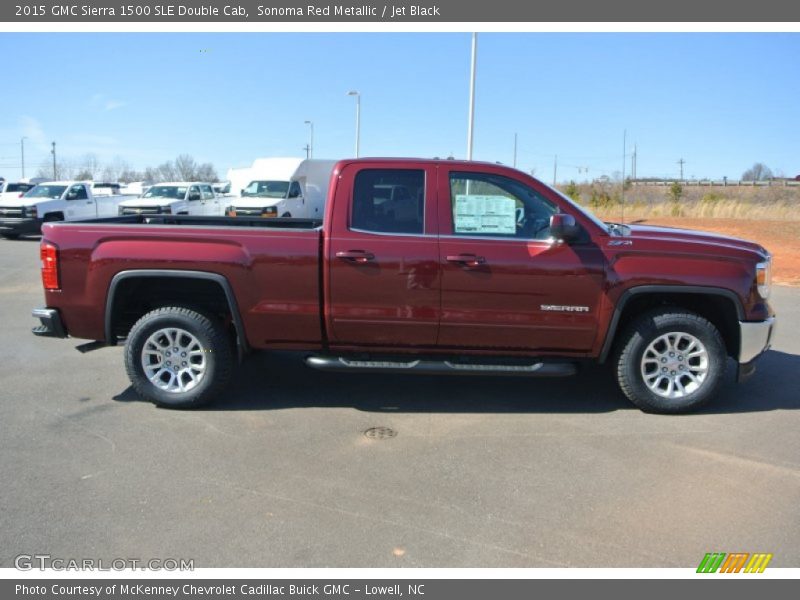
213,346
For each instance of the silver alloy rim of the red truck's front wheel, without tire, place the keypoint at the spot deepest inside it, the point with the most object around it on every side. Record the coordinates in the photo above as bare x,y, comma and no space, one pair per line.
675,365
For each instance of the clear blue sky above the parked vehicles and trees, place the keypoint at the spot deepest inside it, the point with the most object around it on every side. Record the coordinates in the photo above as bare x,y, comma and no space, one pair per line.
720,101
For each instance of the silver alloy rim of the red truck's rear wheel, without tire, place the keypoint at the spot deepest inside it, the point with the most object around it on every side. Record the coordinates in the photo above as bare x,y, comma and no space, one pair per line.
174,360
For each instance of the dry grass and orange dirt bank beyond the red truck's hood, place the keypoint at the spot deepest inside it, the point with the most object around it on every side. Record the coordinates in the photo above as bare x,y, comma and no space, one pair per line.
767,215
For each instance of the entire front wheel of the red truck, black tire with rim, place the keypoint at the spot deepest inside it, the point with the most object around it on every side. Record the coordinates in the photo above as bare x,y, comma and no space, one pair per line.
648,329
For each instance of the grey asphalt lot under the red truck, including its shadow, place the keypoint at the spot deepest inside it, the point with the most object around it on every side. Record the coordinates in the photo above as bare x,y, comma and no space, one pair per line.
481,472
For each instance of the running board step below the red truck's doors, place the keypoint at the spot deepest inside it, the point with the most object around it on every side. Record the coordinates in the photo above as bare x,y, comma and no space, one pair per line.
441,367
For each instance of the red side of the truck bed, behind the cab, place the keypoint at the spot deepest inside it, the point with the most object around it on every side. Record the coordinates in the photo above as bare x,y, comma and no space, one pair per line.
272,266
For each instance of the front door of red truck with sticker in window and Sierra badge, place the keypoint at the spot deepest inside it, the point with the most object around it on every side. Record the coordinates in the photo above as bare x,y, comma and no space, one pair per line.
506,285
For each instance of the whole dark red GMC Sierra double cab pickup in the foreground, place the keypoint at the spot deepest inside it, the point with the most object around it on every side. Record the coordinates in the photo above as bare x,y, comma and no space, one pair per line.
432,266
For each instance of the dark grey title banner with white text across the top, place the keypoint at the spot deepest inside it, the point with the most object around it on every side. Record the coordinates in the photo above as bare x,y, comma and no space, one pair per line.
435,11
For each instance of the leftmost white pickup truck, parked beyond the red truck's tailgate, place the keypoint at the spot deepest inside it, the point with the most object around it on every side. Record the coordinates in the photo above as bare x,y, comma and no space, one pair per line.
53,201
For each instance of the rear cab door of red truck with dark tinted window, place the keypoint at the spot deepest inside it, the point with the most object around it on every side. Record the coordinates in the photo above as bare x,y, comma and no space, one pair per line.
382,258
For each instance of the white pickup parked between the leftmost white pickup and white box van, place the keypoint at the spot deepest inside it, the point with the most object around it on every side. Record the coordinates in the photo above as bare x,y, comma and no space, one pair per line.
175,198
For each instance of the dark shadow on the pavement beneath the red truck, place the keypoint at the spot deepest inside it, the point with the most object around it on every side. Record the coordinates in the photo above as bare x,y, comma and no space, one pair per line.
281,381
